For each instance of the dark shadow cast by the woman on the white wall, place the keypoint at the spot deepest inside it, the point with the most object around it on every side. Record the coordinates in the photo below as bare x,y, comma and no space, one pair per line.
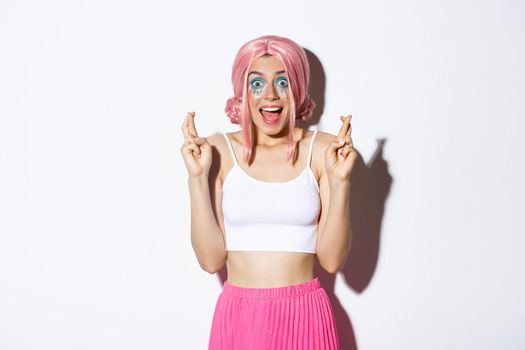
371,184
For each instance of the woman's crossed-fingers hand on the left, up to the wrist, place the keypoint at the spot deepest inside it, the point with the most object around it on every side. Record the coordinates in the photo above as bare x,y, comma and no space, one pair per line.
196,151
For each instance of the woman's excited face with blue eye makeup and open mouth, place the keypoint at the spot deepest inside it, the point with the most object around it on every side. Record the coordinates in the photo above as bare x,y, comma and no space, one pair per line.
268,94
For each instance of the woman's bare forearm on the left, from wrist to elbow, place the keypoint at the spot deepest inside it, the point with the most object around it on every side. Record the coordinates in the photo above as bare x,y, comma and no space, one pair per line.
206,235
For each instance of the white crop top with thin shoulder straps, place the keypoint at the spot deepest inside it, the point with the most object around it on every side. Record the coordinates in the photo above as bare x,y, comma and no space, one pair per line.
270,216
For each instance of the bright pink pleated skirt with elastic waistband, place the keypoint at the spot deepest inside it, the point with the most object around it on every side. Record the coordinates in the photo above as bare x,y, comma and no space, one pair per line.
299,316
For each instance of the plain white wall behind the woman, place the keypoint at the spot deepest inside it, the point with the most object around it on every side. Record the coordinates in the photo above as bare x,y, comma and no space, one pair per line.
95,246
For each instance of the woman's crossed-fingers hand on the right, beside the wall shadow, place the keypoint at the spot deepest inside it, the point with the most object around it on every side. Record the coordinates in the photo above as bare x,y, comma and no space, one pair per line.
340,157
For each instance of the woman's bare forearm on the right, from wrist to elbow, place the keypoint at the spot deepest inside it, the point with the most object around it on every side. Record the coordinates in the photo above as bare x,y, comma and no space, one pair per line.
336,236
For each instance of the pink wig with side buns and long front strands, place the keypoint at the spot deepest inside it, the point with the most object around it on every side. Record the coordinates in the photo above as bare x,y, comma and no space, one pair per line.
294,60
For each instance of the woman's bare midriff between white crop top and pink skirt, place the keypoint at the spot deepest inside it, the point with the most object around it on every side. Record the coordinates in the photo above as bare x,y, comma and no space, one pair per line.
252,269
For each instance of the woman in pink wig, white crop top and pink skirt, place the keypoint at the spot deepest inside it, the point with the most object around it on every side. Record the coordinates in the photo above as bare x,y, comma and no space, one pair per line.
266,201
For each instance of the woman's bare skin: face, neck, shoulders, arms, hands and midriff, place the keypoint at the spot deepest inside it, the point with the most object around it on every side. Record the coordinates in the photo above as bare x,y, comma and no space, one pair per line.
332,164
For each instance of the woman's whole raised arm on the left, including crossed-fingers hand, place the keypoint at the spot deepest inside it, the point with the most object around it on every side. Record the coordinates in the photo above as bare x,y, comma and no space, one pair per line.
207,238
